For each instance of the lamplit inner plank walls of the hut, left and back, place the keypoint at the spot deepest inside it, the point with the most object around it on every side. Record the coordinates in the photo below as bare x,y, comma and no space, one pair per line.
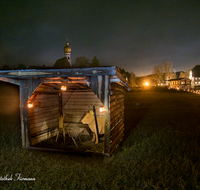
43,117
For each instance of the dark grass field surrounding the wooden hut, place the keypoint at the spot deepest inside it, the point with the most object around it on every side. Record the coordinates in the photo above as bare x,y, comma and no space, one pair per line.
160,149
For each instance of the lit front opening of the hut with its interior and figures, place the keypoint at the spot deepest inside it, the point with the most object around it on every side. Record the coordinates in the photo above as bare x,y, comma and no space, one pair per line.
65,119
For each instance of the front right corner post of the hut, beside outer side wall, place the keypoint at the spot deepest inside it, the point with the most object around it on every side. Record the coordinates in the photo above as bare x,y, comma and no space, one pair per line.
107,115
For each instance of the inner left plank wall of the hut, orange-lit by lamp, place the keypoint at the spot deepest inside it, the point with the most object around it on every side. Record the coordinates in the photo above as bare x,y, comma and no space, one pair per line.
43,117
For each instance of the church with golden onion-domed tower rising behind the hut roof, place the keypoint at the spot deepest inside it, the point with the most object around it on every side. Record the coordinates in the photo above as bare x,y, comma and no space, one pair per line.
64,62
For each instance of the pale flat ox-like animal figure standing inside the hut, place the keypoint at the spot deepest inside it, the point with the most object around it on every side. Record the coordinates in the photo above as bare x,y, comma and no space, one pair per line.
90,120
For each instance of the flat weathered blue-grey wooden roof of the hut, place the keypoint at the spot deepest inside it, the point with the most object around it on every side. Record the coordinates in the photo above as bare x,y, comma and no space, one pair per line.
69,74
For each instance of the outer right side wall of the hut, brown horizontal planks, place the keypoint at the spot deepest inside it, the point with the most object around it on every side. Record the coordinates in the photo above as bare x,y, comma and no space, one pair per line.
116,115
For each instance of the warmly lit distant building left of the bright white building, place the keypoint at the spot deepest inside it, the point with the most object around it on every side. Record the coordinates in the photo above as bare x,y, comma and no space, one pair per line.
179,84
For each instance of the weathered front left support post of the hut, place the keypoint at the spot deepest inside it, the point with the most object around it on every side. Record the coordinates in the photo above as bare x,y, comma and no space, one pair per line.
25,129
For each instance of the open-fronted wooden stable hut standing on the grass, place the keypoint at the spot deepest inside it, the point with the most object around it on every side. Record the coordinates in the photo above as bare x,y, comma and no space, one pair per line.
86,88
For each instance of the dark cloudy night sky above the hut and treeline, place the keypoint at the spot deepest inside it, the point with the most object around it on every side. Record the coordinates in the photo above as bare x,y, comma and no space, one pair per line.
134,35
